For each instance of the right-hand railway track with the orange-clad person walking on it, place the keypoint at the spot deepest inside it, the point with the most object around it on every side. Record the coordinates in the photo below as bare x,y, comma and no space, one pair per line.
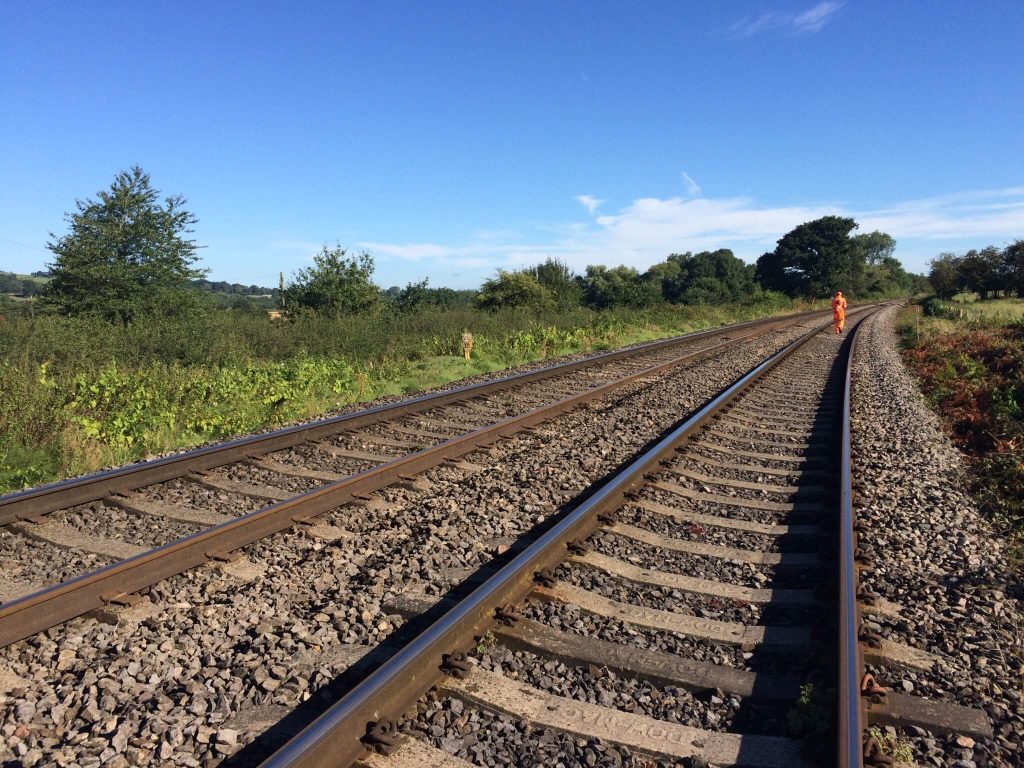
701,607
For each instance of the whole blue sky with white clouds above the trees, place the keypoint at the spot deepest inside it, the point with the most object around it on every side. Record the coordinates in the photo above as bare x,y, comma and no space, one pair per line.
452,139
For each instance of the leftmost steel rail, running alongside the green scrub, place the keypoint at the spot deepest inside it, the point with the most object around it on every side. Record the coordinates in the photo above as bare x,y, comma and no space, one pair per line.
34,503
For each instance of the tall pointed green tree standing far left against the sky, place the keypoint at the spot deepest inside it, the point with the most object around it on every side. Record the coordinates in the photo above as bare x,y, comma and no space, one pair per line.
124,250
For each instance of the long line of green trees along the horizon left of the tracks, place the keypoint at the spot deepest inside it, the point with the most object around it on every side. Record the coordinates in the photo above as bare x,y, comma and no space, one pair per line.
130,253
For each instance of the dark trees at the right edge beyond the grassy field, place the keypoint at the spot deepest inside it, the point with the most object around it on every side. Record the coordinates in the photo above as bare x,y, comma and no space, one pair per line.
990,273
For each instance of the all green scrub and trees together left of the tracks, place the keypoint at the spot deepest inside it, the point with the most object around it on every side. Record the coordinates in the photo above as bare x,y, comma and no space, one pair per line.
131,352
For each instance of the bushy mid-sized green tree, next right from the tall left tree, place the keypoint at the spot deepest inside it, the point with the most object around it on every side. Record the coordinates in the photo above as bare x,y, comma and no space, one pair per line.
336,285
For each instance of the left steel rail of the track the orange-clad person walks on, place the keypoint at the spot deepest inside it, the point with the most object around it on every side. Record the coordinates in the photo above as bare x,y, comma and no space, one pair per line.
336,738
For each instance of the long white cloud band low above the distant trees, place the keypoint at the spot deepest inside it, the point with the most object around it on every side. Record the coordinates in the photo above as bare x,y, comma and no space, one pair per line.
650,229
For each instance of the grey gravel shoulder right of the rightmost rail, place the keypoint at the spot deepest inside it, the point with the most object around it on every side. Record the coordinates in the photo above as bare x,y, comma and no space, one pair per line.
936,558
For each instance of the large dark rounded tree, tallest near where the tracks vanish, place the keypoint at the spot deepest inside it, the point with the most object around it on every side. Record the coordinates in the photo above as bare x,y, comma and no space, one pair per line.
816,260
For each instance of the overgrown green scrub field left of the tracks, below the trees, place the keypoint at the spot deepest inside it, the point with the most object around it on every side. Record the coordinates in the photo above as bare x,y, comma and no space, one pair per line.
79,395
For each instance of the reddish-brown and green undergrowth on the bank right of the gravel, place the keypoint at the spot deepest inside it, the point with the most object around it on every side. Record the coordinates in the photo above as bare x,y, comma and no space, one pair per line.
969,358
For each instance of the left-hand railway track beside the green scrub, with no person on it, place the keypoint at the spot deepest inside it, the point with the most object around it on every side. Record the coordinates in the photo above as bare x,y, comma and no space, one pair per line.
164,518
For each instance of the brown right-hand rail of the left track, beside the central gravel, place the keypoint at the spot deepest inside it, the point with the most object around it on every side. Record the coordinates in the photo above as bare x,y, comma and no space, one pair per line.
40,611
